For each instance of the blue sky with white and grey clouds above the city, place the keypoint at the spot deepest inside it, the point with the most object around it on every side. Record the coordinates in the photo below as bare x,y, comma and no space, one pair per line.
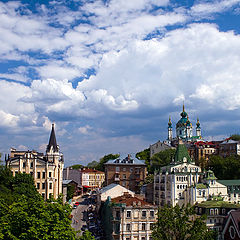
109,73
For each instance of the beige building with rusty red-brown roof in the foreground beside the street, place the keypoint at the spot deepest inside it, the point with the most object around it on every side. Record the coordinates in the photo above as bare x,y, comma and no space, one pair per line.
128,218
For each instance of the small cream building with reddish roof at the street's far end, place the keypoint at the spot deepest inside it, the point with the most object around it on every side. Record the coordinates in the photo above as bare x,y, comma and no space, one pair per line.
91,178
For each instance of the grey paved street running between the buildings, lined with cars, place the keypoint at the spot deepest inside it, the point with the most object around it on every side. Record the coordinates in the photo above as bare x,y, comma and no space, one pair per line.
79,214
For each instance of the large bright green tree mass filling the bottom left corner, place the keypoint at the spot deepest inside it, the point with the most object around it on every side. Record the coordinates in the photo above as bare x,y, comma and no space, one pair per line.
25,215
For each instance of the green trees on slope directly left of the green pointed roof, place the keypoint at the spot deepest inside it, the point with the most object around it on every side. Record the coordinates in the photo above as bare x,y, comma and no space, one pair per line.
162,158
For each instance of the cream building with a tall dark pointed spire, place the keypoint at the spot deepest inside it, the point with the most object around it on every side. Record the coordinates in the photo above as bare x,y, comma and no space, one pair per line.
46,169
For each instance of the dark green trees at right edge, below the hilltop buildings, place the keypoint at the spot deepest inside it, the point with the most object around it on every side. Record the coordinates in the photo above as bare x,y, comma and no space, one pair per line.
225,168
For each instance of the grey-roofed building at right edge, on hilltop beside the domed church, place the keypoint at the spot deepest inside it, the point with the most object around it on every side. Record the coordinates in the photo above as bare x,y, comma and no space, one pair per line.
229,147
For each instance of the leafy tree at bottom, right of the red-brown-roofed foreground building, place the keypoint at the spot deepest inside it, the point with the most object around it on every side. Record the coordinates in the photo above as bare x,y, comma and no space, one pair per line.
181,223
